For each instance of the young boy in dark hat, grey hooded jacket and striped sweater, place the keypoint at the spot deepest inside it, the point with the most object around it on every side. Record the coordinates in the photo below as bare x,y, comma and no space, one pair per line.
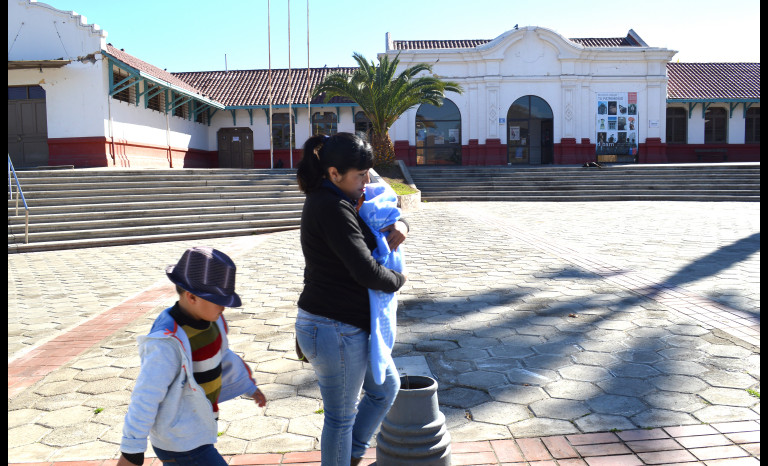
187,368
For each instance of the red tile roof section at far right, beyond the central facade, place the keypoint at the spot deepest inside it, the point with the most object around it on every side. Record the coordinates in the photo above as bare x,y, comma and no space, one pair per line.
713,80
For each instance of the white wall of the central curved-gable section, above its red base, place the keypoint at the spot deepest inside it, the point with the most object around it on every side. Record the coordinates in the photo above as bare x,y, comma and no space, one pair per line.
538,61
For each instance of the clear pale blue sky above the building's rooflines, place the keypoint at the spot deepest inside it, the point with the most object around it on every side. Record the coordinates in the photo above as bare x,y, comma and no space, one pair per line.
194,35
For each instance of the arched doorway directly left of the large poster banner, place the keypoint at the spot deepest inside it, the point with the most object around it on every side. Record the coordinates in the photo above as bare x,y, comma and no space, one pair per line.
529,131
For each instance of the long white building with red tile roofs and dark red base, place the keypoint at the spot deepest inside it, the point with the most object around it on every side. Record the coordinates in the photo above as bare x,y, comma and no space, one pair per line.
531,96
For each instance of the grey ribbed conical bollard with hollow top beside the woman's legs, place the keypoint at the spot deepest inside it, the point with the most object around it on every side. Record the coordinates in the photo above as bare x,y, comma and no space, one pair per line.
414,432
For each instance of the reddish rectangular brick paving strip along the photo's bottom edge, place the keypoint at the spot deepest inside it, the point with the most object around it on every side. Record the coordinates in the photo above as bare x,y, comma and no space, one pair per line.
726,444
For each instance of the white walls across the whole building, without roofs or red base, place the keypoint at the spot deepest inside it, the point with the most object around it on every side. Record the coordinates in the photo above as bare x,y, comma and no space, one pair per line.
70,60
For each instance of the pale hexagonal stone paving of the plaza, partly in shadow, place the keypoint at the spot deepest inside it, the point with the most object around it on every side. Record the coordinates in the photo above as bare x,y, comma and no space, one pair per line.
537,319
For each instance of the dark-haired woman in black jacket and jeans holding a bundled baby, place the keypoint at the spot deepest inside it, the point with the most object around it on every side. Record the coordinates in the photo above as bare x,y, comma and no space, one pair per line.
333,323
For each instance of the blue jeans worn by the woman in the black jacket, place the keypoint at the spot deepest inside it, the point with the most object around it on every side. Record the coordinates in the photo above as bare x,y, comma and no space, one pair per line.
338,353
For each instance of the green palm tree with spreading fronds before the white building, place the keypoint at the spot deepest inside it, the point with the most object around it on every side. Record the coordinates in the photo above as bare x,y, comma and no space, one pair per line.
384,97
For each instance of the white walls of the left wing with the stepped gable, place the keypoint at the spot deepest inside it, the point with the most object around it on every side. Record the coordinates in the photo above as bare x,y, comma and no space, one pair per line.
78,104
